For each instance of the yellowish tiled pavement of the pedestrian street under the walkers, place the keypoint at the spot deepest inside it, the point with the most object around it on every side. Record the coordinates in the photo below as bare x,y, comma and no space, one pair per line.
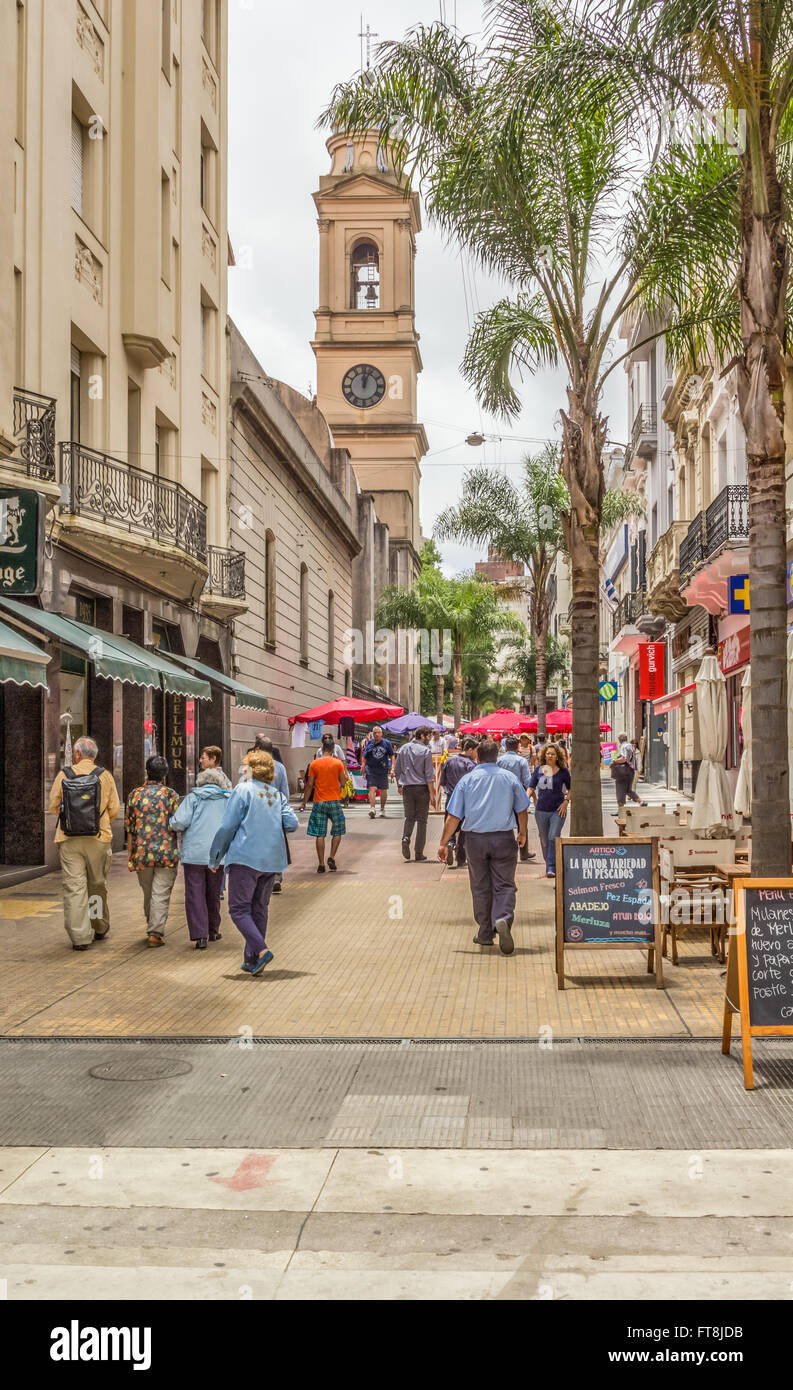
381,950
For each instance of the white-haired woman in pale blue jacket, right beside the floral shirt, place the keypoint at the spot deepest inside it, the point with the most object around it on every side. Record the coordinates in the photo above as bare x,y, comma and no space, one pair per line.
199,818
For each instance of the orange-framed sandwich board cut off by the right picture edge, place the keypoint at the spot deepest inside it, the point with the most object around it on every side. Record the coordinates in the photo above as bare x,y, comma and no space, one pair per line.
760,967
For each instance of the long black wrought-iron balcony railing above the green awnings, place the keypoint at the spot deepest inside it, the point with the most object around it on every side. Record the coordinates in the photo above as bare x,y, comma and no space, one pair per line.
122,496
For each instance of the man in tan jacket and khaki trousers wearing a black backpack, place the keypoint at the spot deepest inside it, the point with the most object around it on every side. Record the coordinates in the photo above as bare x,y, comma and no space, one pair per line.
85,801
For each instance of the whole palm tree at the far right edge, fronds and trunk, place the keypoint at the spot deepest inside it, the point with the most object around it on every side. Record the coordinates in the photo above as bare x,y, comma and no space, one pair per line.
728,66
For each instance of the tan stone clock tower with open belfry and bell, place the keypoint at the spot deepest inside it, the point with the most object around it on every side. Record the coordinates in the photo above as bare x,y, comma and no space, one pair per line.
366,340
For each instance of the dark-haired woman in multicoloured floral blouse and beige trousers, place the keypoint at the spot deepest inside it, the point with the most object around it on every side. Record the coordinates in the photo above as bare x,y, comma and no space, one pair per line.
152,850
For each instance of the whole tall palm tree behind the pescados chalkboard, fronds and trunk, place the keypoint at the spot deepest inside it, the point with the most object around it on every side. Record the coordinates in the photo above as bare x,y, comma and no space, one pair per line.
538,183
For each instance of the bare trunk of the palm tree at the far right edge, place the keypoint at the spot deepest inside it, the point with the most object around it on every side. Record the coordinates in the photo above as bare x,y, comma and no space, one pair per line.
760,389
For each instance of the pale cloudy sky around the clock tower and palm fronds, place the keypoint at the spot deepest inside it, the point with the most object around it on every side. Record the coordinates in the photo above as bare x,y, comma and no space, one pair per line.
284,63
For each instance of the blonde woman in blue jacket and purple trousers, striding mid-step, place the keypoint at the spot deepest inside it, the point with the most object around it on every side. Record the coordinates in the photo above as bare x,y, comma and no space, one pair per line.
252,842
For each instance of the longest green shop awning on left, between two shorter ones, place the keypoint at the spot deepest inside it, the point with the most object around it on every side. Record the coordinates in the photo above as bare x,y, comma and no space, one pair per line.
112,657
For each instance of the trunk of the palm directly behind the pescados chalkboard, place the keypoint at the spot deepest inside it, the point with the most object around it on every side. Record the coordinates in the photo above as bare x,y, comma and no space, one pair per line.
584,436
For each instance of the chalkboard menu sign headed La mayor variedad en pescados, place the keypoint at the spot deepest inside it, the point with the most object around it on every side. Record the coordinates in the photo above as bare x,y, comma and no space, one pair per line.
608,897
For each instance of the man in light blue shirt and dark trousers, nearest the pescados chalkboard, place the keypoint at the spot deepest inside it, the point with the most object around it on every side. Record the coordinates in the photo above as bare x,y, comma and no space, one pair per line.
487,803
